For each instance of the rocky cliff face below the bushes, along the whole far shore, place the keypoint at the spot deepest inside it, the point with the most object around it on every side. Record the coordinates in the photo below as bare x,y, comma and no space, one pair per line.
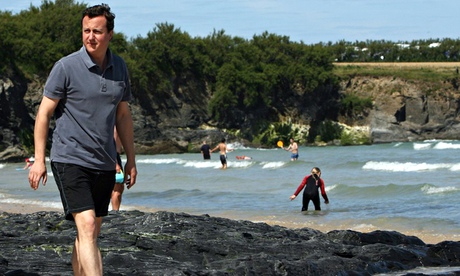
402,111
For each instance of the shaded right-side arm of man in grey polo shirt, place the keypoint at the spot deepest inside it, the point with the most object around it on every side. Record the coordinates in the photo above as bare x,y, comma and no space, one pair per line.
124,124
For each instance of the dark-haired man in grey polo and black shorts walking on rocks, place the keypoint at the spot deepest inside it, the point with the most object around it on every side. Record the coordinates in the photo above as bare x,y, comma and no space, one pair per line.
87,91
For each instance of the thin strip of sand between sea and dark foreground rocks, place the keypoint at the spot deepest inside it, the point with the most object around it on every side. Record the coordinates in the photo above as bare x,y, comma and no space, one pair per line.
27,208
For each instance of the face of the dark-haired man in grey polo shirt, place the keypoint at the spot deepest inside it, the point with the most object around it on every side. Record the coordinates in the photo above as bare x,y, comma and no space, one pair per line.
95,35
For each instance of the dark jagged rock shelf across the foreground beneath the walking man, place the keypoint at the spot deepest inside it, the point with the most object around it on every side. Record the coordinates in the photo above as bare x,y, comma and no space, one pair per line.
165,243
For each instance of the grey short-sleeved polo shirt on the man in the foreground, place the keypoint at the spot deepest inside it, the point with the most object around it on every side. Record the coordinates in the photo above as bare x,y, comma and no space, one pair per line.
85,115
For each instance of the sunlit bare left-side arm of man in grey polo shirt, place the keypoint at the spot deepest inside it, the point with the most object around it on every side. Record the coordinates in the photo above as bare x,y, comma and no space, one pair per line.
42,121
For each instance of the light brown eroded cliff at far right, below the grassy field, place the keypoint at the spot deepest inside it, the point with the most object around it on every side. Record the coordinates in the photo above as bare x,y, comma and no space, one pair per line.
408,110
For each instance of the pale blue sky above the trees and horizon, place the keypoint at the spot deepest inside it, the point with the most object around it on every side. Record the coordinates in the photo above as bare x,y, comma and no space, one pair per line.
310,21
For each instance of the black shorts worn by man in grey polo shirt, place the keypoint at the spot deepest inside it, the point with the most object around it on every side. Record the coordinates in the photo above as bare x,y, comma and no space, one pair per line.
83,189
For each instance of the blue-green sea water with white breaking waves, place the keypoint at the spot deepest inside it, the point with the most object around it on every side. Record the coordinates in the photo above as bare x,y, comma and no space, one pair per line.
412,188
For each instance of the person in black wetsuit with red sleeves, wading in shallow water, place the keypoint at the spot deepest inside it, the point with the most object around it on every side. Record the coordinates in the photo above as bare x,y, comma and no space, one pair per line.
312,184
